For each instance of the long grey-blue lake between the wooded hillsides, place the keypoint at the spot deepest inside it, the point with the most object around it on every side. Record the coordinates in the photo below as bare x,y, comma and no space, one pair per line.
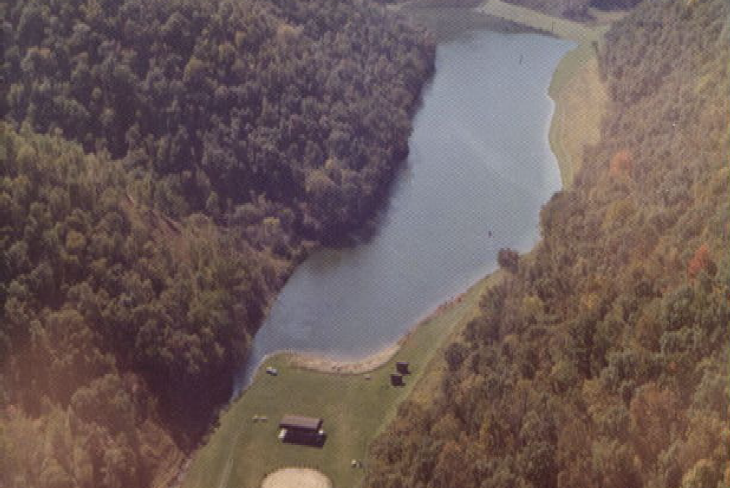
479,170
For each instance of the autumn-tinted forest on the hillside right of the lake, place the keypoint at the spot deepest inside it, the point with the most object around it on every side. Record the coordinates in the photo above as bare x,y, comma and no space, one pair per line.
603,361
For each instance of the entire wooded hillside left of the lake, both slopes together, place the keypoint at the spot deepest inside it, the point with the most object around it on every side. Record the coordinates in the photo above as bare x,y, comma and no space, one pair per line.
164,166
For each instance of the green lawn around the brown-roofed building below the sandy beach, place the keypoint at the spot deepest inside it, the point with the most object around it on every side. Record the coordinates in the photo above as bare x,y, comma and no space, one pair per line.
241,452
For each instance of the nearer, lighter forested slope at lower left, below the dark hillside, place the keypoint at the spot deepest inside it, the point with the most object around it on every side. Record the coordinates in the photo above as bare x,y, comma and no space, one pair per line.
109,312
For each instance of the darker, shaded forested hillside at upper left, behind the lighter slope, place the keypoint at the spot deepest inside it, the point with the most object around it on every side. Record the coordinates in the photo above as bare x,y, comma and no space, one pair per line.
301,104
